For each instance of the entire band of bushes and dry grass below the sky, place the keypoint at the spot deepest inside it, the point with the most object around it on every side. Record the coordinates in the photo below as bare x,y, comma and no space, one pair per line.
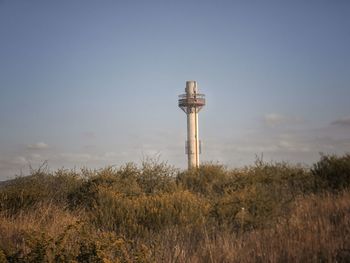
267,212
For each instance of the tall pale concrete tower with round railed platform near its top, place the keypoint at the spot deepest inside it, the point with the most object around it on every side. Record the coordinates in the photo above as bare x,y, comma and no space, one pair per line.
191,103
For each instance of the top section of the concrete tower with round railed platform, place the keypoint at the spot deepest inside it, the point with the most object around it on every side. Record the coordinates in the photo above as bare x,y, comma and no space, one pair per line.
191,100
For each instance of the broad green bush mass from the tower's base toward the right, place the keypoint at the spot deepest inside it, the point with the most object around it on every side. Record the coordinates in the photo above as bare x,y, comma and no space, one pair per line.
250,197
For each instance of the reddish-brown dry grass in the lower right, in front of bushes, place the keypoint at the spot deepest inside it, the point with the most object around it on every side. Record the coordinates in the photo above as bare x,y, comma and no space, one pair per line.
317,230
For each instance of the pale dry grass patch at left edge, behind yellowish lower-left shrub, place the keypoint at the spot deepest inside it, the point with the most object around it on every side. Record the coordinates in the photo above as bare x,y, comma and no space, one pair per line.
45,223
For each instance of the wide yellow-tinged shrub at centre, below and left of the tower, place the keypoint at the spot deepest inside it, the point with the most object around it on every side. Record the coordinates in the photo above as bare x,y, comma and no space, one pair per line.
138,214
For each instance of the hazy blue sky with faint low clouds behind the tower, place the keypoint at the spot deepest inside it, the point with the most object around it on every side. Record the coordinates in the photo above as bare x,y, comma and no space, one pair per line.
95,83
